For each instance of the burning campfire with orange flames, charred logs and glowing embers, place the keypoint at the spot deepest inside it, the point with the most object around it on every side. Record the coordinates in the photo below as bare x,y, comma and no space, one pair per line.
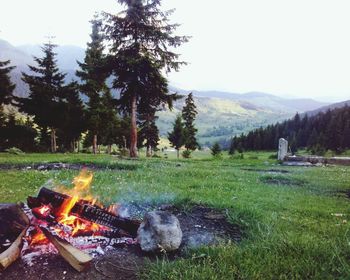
65,221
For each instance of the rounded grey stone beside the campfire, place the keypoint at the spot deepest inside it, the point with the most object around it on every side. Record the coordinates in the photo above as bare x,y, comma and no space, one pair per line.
159,230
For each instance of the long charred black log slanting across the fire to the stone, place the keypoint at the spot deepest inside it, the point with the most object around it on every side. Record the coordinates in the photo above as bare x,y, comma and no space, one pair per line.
85,210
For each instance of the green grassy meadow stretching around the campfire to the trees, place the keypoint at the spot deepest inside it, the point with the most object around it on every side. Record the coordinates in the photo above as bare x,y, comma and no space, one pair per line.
295,224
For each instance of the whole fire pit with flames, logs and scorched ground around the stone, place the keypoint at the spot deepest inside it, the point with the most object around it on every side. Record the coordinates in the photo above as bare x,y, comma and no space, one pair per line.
63,226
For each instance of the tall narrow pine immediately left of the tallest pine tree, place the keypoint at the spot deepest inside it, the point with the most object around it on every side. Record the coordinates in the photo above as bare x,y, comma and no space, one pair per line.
94,76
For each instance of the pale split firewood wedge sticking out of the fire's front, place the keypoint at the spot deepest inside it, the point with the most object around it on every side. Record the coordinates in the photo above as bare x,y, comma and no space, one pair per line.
75,257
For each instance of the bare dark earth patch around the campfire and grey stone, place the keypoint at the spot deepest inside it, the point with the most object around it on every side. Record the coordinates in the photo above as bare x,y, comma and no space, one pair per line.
200,225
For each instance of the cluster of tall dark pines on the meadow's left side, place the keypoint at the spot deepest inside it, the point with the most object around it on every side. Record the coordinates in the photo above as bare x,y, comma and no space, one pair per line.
120,88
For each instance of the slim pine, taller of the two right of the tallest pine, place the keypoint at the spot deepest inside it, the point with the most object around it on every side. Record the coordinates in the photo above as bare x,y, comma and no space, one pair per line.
189,113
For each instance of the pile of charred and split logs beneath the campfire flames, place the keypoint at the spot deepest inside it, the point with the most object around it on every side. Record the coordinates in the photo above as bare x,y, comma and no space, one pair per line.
42,216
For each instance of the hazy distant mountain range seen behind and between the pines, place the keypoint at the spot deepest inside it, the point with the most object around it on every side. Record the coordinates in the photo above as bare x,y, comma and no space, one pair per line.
220,114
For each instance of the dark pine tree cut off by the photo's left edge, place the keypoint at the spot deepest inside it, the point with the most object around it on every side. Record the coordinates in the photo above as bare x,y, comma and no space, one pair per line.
6,86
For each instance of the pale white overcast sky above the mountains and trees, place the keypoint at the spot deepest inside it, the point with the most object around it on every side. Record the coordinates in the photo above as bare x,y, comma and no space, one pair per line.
290,48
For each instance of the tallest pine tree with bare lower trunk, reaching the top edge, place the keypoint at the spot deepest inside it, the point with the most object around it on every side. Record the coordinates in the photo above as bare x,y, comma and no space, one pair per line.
141,37
